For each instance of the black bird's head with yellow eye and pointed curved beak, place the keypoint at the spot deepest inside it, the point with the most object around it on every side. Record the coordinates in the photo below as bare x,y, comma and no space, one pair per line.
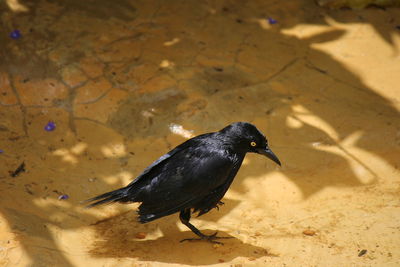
248,138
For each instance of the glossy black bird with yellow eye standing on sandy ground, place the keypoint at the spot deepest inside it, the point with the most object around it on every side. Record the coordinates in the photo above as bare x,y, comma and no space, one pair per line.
193,177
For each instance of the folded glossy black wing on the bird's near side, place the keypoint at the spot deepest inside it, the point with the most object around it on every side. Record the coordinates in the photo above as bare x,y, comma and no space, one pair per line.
184,180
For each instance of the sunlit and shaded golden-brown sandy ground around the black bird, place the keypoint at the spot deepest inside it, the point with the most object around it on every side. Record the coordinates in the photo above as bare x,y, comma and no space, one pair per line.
125,82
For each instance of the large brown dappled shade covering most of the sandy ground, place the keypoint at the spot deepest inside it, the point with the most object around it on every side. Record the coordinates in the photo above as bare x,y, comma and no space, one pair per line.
233,70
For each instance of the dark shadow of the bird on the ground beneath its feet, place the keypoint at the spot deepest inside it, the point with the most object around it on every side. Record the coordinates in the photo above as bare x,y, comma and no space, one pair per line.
122,236
